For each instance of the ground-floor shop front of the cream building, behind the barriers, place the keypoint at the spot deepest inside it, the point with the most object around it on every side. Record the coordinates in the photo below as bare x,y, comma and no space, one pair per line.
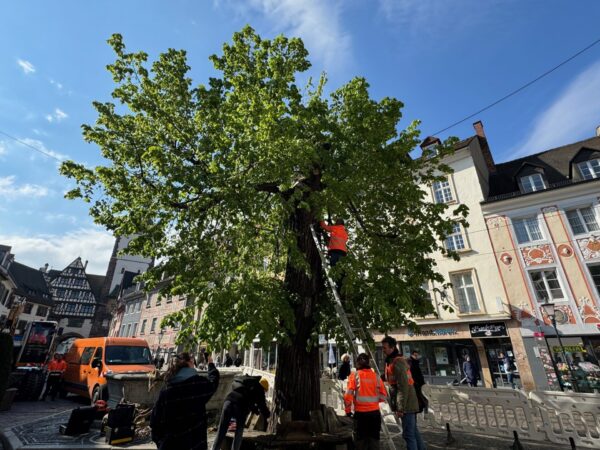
444,348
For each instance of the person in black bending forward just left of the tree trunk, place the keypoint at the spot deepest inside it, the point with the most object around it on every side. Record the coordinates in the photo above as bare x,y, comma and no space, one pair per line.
248,394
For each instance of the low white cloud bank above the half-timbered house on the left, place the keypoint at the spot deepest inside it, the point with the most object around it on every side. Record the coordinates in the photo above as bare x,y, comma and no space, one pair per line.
59,250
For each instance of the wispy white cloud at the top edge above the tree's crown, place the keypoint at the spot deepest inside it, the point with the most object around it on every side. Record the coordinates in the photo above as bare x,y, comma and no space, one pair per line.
317,22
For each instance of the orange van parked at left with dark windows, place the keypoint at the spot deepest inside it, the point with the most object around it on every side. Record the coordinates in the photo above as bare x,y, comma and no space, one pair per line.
89,360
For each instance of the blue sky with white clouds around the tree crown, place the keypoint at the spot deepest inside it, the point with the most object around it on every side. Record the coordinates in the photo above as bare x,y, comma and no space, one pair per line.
443,59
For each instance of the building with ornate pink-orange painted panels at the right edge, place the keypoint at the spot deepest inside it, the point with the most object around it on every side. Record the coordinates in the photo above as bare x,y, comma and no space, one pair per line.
543,218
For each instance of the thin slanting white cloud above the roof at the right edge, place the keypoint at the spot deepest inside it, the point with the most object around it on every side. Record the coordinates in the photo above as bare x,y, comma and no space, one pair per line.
573,115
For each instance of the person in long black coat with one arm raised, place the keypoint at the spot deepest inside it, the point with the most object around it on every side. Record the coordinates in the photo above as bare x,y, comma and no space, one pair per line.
178,419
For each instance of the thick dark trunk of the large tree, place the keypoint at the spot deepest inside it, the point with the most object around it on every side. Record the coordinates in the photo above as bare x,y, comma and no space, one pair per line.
298,375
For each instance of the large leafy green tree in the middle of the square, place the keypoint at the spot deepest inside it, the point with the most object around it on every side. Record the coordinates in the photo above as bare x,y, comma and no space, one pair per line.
222,181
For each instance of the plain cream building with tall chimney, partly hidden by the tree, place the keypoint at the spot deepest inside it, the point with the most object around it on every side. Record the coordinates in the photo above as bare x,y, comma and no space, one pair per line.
479,325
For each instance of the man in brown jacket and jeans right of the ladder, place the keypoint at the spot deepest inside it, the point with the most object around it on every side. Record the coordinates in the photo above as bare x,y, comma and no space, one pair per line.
403,396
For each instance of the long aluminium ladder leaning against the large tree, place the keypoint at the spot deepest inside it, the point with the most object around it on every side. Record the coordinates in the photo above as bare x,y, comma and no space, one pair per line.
354,334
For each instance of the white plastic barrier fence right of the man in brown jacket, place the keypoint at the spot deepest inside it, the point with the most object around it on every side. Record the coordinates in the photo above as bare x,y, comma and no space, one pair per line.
543,416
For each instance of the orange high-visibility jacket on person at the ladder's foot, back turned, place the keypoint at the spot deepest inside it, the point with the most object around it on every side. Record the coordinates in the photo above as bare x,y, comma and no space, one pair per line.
365,391
